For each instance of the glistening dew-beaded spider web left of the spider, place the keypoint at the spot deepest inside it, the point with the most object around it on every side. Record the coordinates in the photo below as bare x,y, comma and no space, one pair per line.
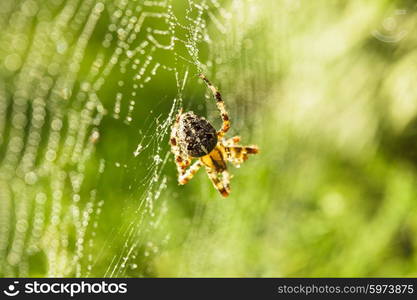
69,68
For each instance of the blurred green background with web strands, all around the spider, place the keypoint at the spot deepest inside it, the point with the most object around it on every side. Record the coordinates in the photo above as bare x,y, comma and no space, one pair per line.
89,90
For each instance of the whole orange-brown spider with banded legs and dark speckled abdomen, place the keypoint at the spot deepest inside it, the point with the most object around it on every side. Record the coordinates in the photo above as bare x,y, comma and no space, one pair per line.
193,137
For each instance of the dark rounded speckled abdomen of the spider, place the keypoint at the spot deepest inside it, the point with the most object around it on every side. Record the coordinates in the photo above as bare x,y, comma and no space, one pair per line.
196,136
